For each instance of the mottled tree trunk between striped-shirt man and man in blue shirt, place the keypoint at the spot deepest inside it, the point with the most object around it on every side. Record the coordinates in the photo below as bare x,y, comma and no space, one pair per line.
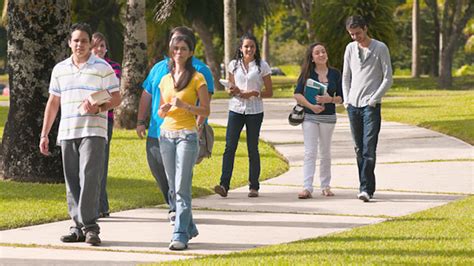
134,64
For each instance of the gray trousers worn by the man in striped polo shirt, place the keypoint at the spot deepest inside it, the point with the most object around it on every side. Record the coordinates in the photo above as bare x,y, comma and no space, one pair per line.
83,165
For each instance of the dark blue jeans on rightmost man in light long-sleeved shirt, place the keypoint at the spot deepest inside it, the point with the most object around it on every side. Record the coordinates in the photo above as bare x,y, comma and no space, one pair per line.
365,126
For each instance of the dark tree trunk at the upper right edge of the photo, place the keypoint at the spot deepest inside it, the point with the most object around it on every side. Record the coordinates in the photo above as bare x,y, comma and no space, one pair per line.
455,17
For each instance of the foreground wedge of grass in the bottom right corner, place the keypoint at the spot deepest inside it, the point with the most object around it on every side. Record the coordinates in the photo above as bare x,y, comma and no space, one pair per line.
438,236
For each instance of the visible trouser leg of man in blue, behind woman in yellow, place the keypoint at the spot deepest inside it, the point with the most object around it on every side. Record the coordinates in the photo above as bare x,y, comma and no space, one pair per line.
155,162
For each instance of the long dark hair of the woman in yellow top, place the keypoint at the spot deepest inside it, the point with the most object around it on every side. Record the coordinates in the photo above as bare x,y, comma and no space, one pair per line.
189,70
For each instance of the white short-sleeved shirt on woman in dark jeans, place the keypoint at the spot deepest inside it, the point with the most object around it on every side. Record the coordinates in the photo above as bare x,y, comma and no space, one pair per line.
248,81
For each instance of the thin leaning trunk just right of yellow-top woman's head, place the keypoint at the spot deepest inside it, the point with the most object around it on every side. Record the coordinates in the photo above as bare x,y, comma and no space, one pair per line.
209,51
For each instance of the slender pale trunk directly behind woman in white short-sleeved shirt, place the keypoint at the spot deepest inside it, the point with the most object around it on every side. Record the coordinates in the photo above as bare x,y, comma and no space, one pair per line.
230,31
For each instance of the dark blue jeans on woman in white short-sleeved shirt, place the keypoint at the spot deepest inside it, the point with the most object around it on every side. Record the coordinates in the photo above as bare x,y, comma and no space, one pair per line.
235,123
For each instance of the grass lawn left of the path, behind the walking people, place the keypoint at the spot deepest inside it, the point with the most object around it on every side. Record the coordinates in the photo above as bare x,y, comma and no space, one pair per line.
130,183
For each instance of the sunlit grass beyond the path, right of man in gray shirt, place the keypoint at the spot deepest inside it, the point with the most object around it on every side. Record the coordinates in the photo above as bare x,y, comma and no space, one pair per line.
418,102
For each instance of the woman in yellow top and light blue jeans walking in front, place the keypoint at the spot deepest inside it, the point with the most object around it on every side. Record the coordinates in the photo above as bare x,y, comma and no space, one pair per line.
179,141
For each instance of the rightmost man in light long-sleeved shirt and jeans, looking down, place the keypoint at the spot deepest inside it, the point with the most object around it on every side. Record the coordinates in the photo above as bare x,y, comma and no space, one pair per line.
367,75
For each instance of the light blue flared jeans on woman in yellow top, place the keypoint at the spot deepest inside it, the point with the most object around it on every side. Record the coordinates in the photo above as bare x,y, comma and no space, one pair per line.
179,156
